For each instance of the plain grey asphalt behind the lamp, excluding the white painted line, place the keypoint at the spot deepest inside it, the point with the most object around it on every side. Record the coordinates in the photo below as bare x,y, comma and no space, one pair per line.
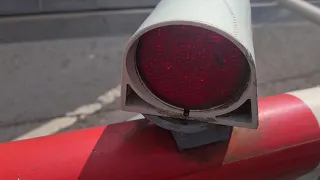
45,79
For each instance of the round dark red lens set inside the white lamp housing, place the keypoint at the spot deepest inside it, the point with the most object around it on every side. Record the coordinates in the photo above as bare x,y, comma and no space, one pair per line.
191,67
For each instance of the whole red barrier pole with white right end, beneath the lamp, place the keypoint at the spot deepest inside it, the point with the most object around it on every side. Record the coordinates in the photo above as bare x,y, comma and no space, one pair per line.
285,146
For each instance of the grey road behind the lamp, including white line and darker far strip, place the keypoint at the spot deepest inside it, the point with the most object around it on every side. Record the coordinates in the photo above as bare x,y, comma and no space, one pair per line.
51,85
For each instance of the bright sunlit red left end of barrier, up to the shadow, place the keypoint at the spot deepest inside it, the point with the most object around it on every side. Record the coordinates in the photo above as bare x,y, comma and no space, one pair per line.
53,157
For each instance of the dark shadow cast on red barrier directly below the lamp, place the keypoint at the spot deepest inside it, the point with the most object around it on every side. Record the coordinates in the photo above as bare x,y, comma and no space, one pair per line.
143,150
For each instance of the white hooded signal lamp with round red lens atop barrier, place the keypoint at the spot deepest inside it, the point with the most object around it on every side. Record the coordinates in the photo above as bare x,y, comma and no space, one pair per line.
193,61
